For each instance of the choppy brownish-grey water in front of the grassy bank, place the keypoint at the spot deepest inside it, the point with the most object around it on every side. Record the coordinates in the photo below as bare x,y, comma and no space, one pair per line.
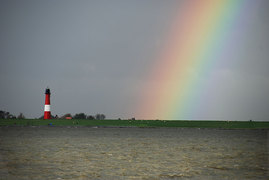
132,153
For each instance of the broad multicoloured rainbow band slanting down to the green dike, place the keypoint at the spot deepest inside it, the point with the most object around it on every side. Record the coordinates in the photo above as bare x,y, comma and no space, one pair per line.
199,35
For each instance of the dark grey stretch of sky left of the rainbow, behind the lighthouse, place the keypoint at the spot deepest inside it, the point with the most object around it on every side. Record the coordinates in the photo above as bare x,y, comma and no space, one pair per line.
91,53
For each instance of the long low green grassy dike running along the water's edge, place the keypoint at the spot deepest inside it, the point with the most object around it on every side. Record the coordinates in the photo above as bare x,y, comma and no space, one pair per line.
137,123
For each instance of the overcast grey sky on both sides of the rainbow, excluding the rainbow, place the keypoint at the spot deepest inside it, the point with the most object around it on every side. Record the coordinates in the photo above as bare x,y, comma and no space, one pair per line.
95,57
